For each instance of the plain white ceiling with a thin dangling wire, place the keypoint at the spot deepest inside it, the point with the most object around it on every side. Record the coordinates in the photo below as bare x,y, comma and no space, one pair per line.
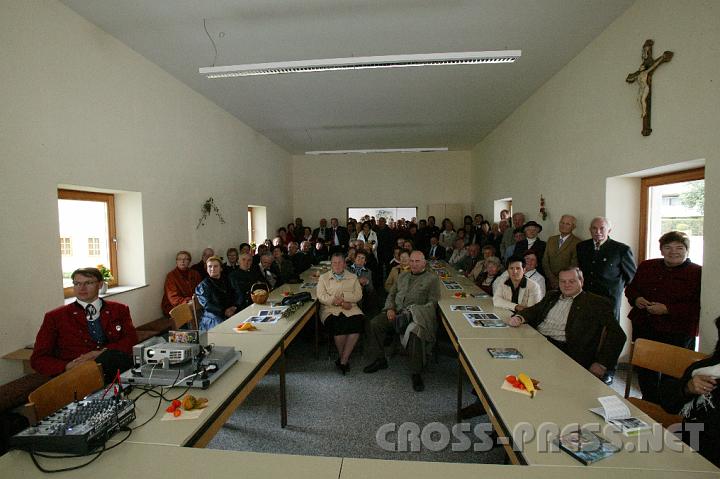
453,106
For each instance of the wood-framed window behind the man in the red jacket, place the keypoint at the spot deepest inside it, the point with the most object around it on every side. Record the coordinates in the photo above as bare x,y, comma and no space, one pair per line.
86,217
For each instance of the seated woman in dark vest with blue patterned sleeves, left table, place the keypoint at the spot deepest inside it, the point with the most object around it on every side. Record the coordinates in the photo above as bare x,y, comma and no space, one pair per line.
215,295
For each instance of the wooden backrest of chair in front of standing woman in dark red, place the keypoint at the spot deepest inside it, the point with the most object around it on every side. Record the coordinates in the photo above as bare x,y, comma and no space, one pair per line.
660,357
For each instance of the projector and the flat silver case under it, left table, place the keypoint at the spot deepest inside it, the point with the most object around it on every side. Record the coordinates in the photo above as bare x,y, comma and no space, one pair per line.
161,363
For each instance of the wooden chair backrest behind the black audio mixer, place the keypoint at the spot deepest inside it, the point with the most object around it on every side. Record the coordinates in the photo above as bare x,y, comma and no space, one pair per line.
61,390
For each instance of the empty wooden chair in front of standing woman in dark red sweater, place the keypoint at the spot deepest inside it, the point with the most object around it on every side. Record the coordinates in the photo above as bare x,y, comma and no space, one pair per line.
665,359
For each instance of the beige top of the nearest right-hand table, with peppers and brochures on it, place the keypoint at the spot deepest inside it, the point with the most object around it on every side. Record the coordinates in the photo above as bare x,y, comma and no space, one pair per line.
568,391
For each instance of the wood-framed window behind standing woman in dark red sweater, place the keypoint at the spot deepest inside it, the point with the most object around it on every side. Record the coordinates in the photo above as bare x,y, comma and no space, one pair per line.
672,202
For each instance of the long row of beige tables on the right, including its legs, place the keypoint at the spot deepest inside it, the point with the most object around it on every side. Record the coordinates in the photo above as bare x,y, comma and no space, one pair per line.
568,391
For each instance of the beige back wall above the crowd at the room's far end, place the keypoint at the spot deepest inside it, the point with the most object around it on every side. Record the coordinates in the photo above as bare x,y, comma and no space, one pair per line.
325,186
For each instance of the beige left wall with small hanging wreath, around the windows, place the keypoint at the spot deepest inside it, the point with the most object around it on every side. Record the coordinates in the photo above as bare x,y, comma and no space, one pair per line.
79,107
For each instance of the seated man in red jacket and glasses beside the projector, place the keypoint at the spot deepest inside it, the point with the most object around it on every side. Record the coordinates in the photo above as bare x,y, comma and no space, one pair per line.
88,329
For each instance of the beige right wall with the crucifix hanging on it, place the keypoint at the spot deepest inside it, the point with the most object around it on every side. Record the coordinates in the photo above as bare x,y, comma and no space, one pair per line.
583,127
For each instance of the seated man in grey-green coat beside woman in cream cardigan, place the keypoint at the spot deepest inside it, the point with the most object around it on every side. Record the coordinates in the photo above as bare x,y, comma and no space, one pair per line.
410,310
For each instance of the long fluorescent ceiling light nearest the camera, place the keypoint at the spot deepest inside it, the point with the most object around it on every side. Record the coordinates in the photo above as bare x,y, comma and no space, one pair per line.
360,63
